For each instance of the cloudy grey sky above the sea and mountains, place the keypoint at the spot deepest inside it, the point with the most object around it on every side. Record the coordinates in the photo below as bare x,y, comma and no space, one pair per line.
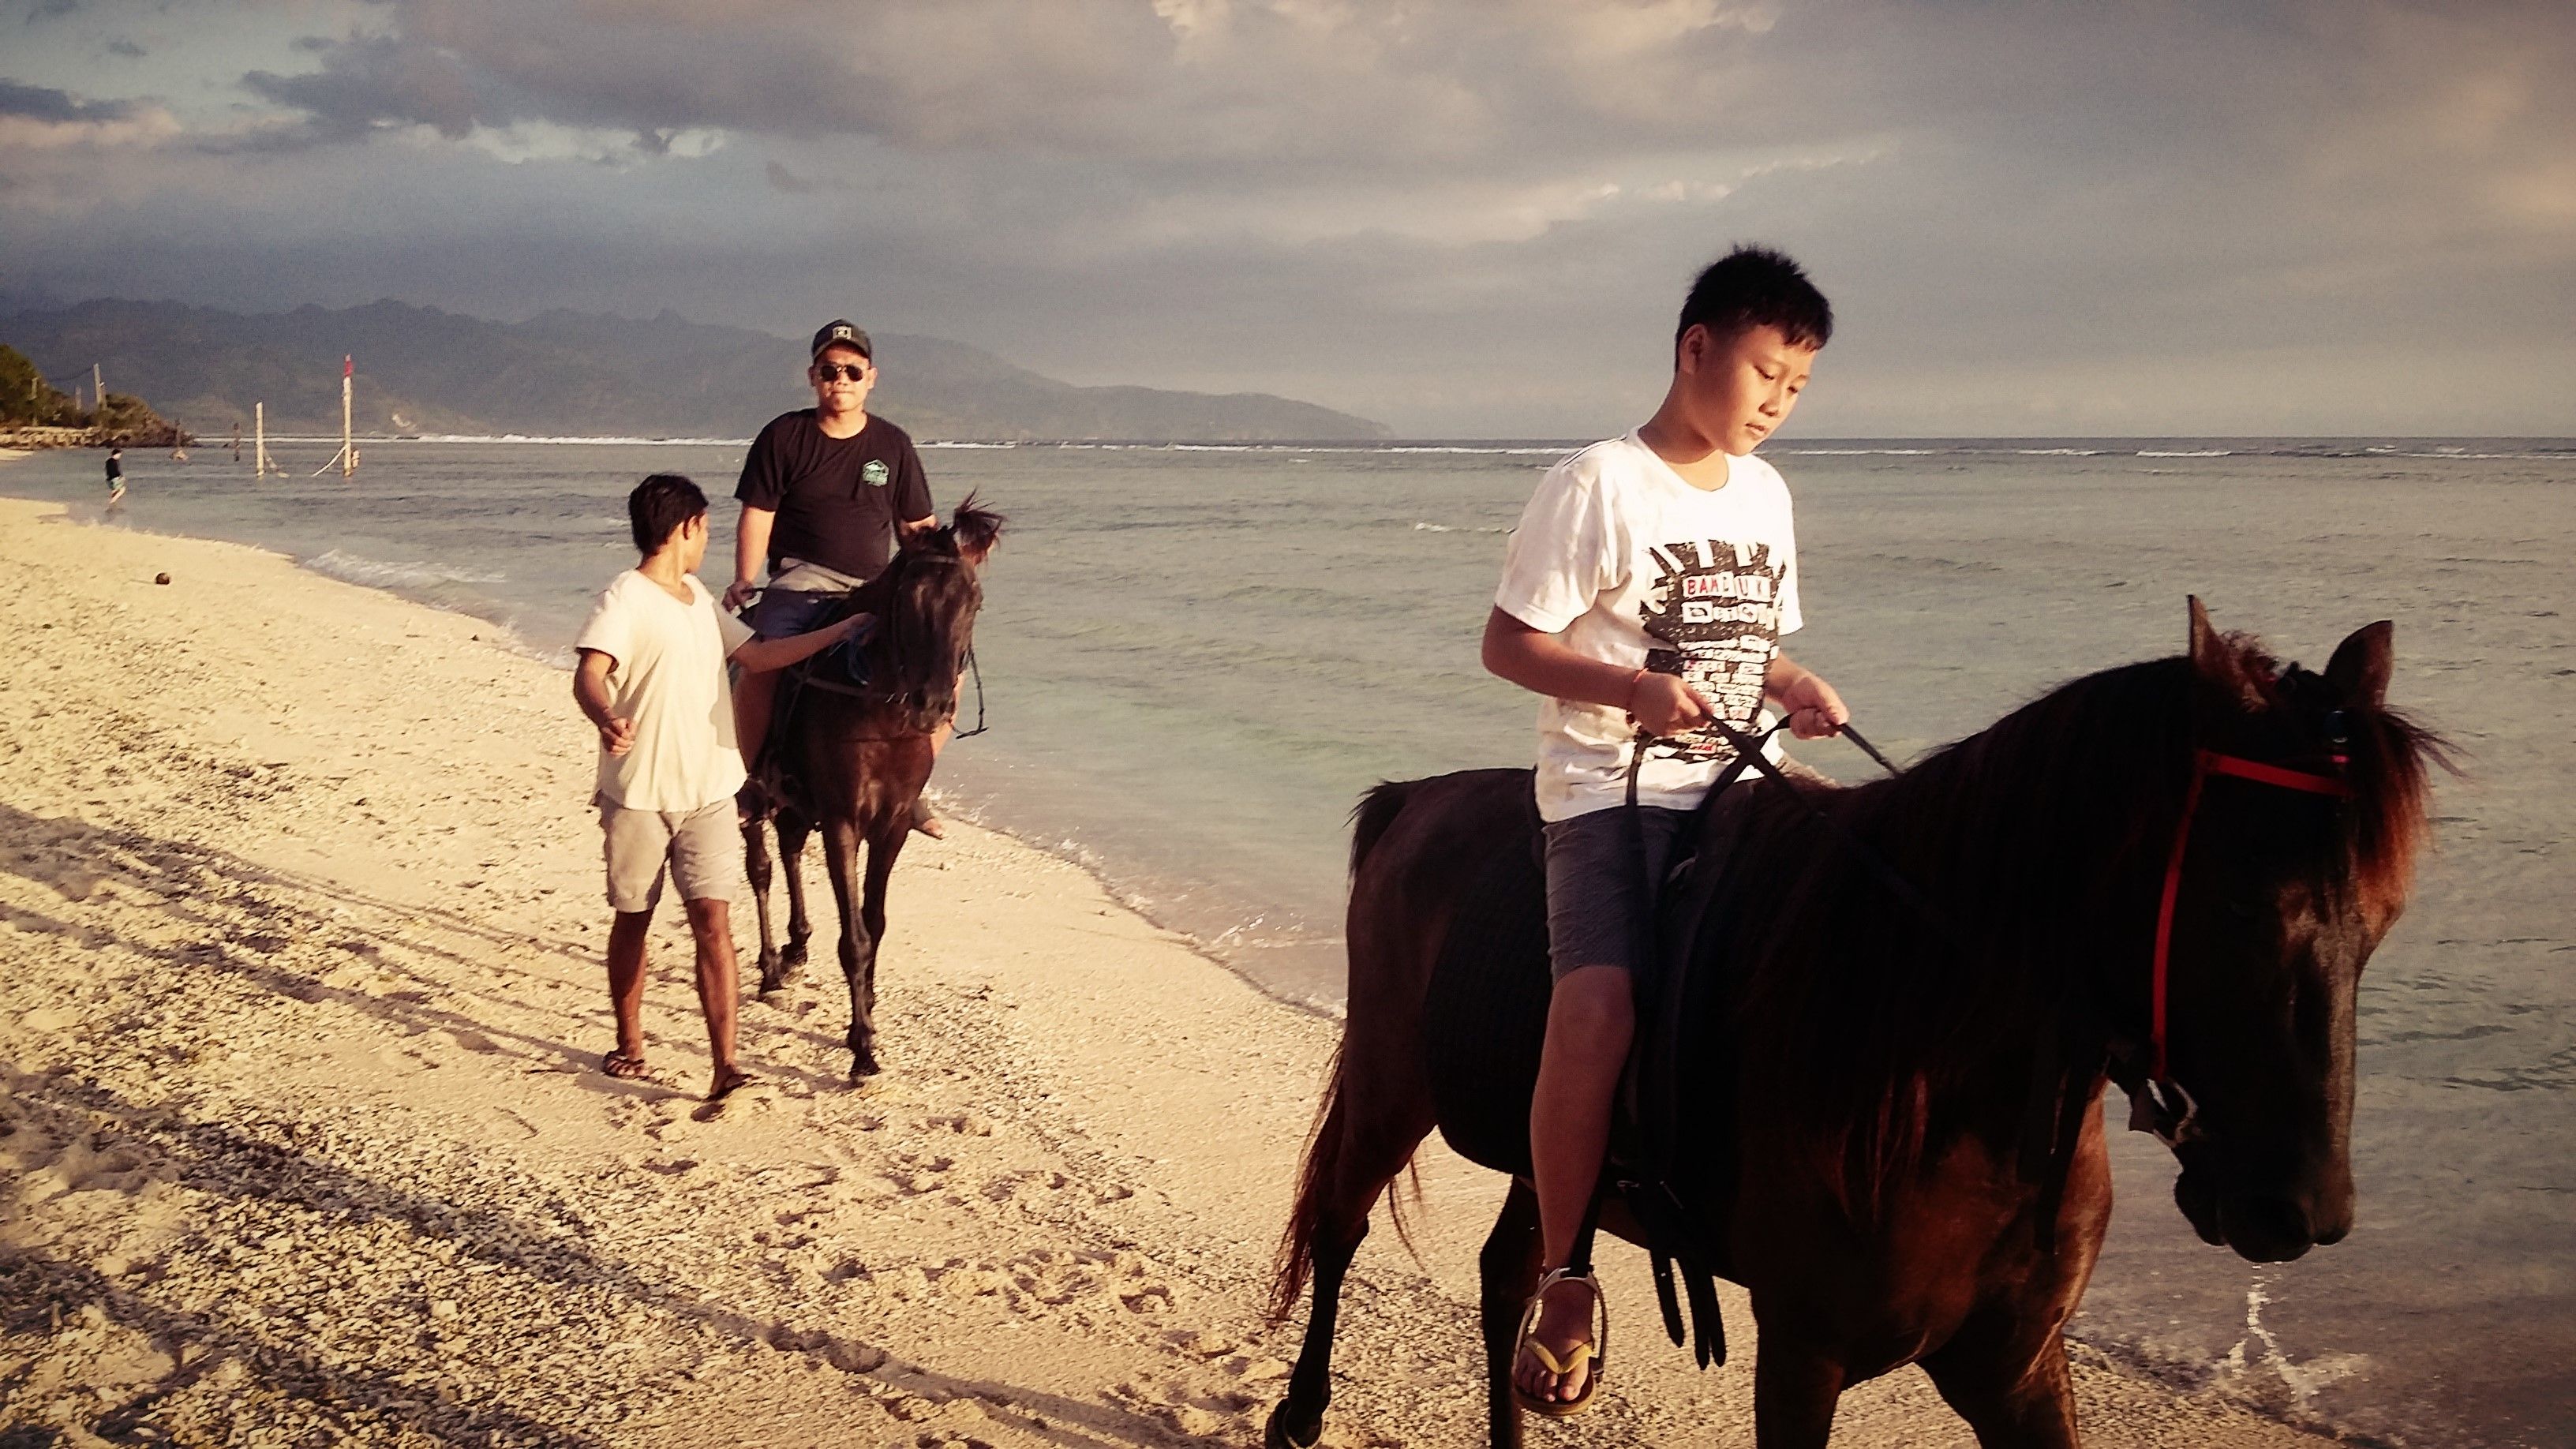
1464,218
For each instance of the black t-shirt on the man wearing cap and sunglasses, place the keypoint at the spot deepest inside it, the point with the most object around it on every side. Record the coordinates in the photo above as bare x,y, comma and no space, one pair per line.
836,499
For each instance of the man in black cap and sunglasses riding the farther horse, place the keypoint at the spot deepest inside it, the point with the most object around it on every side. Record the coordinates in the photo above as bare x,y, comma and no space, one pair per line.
826,491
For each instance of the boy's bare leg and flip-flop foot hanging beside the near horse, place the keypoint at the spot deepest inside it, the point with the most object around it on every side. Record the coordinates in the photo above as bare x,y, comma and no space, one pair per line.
1591,1022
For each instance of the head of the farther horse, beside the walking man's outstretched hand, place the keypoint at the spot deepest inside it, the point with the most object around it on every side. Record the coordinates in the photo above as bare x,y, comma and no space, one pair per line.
926,605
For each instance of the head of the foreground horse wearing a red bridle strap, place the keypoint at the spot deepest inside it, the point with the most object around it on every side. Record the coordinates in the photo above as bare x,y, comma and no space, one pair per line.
2281,883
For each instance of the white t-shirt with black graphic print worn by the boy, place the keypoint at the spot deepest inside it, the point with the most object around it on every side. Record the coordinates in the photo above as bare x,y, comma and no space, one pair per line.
1640,569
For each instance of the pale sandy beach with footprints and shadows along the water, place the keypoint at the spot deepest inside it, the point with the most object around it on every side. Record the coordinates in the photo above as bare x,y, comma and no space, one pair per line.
303,1133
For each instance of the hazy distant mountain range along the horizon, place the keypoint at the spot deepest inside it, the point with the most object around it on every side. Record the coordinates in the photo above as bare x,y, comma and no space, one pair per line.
586,375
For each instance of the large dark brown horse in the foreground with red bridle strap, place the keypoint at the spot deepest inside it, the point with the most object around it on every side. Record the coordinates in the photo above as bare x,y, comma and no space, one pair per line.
1884,1051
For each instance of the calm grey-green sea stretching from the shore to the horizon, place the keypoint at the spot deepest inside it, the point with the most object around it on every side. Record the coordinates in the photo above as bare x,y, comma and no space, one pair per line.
1197,659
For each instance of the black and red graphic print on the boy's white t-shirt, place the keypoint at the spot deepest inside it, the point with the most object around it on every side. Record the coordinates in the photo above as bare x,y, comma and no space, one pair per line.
1714,618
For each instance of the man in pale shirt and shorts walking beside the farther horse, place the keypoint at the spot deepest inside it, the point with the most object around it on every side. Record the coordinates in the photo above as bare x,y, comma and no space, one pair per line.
653,682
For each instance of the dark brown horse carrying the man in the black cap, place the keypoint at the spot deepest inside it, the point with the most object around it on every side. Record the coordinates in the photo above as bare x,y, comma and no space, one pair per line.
857,754
